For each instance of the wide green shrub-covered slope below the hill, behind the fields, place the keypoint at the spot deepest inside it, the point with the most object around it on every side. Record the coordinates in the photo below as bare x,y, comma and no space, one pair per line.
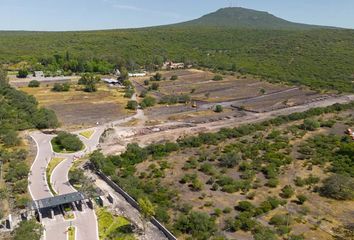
320,58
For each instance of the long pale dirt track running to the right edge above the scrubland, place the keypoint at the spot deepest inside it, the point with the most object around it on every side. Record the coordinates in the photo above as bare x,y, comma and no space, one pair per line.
142,136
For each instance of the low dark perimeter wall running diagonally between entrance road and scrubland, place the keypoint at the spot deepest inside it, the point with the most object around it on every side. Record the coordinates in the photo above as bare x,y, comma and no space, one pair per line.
132,202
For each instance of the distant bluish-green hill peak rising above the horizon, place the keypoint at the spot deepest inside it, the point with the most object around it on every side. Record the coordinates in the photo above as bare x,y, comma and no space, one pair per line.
237,17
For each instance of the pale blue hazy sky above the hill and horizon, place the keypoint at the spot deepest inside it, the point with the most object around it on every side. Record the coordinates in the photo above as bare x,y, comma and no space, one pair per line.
56,15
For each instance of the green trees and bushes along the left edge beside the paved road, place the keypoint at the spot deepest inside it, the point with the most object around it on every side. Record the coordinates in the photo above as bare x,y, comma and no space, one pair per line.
19,111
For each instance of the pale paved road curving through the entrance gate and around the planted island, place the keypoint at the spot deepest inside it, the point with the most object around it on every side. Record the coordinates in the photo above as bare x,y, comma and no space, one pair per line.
85,222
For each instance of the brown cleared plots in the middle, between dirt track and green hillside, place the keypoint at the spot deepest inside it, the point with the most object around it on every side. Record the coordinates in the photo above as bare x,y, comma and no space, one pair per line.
233,92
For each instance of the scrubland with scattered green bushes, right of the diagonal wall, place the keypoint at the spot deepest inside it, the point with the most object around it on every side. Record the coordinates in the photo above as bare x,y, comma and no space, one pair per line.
263,155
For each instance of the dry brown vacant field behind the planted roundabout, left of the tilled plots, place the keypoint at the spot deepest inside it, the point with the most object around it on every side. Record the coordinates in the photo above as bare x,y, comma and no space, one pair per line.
77,109
